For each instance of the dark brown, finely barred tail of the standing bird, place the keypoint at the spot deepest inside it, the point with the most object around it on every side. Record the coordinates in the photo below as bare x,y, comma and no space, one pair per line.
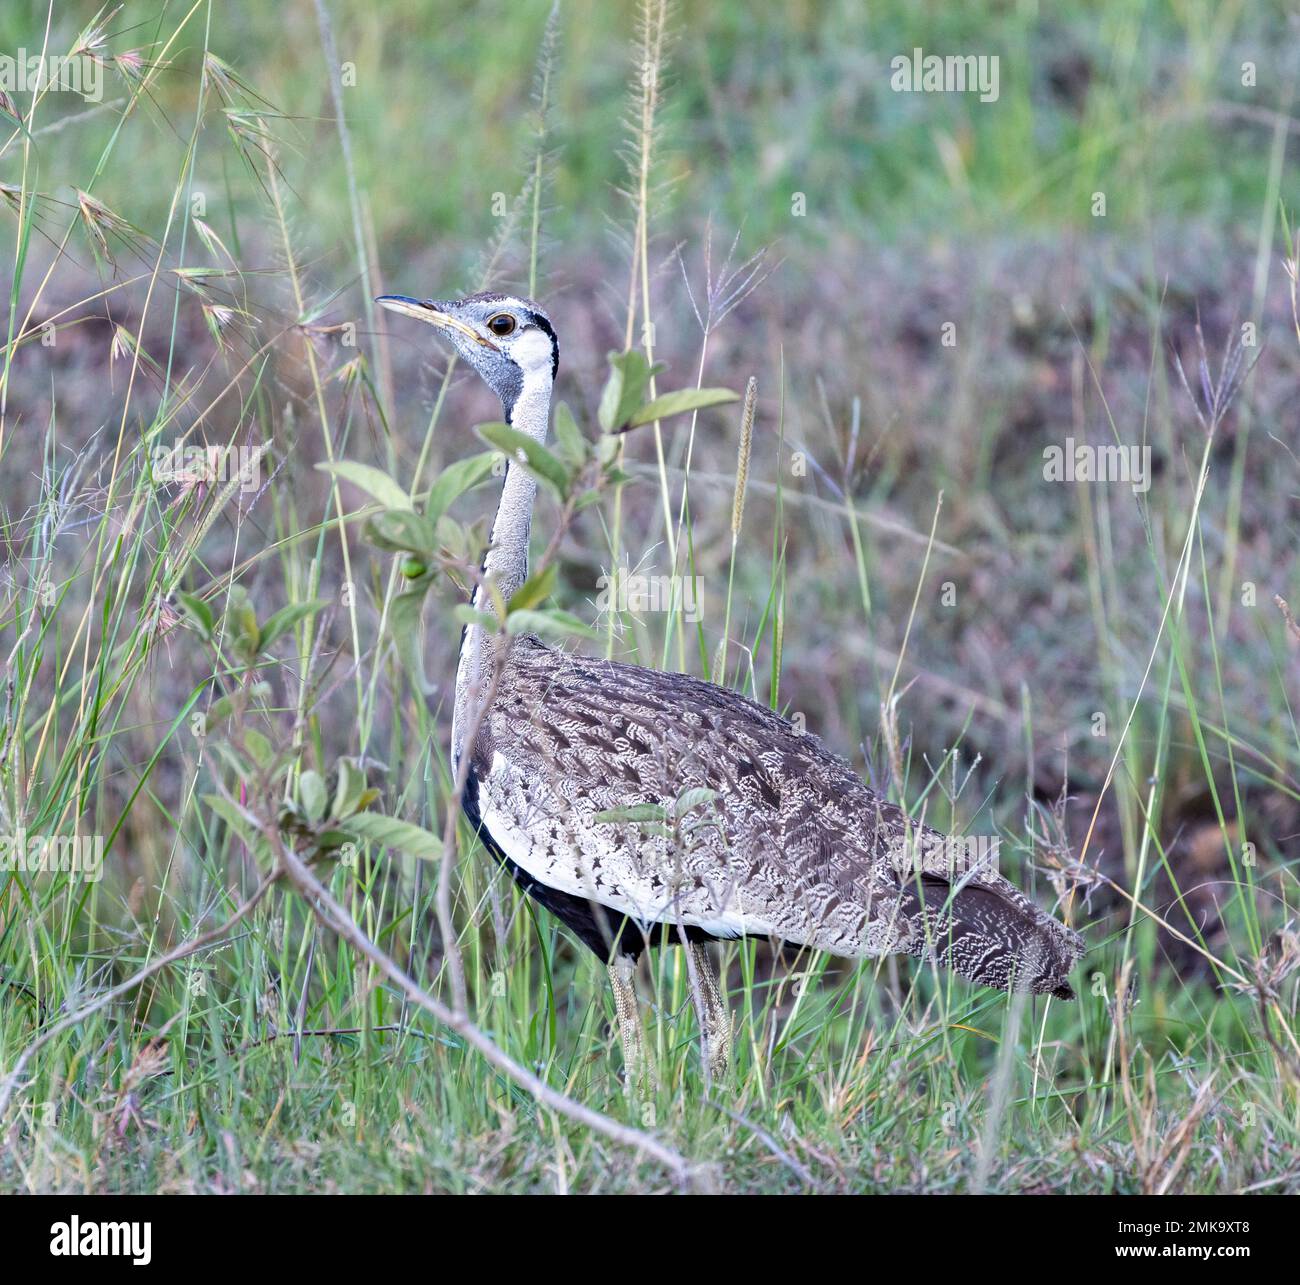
989,932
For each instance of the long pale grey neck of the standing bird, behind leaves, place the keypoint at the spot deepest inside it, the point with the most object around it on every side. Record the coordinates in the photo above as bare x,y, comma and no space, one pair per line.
506,564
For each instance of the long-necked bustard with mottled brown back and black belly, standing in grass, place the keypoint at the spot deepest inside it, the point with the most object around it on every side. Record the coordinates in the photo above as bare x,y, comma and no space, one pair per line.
801,850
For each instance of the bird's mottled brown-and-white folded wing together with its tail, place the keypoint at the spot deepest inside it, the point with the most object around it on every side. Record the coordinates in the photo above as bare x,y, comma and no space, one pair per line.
670,799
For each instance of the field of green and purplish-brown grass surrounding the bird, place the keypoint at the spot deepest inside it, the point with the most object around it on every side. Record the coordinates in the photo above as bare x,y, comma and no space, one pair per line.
279,1059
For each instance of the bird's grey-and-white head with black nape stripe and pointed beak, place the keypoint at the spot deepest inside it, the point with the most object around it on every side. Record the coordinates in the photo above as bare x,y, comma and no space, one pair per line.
509,341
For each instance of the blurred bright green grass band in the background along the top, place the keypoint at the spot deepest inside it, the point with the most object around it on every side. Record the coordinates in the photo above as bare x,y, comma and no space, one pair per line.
1146,101
